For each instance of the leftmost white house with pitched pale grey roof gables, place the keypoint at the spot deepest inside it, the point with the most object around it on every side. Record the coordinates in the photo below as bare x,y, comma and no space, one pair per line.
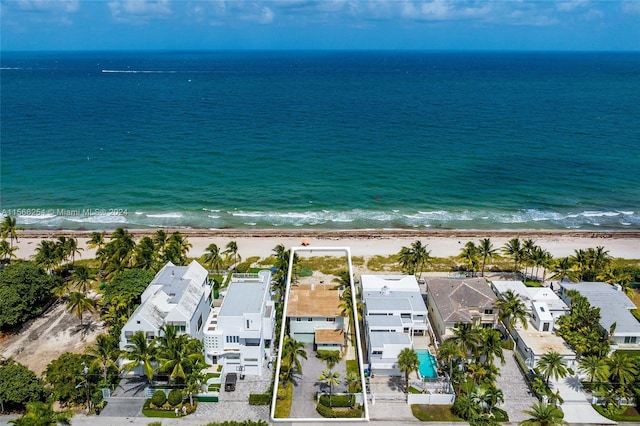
179,296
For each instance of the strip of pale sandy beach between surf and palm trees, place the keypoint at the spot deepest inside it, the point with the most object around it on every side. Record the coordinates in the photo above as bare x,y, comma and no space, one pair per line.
365,243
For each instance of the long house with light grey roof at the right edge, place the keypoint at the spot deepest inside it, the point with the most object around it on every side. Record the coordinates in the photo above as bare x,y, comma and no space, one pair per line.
614,306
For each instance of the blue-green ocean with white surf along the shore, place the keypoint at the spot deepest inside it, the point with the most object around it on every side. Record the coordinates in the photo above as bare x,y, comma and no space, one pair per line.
321,140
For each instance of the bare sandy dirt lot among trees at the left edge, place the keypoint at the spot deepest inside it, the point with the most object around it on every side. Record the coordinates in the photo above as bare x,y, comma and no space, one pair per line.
43,339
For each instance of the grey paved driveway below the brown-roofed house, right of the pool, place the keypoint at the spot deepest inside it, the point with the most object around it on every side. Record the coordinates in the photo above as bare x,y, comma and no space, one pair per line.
517,396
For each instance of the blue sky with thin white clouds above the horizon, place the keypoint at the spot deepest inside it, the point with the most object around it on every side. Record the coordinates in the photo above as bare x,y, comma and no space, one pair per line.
53,25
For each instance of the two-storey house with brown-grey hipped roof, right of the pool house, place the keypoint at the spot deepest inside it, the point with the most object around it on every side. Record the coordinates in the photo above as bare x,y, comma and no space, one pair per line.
454,300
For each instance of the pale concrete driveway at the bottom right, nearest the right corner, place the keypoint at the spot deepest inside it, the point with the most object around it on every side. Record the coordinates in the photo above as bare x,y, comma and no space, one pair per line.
576,407
